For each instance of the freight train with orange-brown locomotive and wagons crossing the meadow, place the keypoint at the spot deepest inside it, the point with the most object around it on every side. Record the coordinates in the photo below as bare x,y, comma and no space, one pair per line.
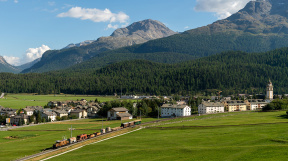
65,142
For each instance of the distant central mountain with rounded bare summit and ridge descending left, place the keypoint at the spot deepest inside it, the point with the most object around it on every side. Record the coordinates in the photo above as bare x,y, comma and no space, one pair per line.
136,33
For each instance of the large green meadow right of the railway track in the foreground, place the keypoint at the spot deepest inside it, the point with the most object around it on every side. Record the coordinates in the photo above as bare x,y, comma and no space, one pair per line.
235,136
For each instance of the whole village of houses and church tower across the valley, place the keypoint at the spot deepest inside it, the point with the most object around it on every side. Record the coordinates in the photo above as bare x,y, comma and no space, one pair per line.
65,110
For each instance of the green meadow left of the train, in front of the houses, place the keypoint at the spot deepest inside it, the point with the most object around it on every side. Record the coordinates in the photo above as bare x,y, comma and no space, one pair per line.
33,139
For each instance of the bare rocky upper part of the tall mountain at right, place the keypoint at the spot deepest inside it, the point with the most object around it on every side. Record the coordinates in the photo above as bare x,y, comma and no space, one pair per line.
260,16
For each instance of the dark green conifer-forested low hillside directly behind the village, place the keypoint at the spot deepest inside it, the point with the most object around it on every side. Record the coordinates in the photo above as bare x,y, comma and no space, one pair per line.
231,72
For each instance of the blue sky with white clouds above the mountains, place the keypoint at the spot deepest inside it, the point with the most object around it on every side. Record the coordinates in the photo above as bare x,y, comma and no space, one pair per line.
30,27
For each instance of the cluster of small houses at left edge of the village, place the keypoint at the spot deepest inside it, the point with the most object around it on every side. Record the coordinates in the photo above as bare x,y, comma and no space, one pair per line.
54,110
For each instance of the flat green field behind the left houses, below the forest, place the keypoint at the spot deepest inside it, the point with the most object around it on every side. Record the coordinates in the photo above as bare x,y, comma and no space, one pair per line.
17,101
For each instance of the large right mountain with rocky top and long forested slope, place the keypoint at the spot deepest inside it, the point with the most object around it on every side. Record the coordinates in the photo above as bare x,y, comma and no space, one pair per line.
260,26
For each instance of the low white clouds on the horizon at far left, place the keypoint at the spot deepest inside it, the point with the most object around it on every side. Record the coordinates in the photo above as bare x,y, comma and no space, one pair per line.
30,55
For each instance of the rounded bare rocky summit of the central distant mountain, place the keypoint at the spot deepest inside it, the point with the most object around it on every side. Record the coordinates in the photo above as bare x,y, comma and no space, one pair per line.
147,29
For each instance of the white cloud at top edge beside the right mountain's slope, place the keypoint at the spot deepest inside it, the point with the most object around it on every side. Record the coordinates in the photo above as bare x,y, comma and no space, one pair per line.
221,8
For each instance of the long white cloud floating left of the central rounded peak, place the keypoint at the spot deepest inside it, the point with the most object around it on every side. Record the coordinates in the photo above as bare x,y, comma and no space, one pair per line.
96,15
